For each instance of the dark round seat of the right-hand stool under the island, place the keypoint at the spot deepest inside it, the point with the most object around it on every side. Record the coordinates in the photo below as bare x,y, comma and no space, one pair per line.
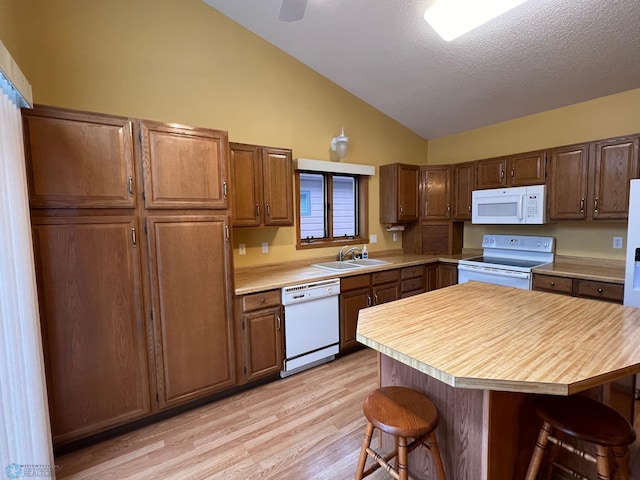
585,419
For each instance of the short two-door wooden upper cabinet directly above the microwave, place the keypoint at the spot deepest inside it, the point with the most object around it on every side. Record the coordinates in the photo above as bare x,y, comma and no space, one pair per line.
513,171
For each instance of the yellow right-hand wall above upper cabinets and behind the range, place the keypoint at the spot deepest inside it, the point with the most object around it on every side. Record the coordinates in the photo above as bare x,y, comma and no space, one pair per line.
604,117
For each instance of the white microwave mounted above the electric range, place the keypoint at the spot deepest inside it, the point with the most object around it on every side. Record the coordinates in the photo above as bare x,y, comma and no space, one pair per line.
513,206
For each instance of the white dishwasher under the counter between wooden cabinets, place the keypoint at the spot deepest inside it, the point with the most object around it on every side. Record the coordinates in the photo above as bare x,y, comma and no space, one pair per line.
311,324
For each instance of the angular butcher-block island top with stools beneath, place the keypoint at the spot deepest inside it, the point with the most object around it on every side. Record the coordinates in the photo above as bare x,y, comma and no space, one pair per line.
481,336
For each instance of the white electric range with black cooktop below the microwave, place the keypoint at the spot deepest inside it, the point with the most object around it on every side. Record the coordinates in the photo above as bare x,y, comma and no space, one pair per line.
507,260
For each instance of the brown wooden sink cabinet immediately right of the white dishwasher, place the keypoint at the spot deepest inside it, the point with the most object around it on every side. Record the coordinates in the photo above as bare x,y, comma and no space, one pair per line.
360,292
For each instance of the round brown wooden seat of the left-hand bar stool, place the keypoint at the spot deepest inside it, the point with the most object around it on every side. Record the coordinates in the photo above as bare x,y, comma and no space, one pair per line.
401,412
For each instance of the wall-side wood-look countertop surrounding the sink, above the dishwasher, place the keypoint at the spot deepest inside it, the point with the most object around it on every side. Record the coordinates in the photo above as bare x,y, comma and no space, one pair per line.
266,277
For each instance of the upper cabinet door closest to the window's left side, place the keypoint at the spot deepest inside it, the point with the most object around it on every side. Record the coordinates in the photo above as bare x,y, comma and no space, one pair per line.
277,186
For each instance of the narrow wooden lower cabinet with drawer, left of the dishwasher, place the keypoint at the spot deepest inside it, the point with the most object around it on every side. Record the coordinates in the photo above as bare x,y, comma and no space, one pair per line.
261,340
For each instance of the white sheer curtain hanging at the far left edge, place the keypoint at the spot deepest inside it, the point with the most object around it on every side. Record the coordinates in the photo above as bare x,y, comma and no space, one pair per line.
25,438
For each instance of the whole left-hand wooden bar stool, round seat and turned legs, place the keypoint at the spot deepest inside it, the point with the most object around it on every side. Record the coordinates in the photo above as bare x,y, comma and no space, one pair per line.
403,413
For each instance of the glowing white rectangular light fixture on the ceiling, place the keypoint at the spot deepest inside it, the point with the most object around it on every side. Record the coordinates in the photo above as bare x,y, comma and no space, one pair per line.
452,18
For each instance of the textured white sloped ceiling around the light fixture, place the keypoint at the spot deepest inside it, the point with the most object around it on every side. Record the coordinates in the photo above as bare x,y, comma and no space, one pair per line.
543,54
